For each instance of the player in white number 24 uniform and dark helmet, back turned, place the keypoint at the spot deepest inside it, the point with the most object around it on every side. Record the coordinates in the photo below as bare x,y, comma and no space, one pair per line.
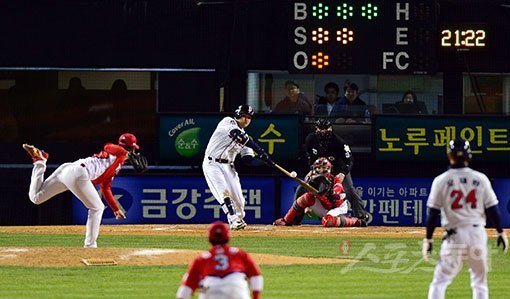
464,197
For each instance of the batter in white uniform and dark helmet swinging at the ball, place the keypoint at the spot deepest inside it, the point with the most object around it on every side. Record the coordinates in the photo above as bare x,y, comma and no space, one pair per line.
227,141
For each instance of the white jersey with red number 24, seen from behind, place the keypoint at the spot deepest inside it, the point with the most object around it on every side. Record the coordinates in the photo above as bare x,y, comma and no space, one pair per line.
462,195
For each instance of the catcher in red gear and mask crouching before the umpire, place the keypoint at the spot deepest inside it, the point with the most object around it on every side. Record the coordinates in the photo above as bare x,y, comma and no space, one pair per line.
329,204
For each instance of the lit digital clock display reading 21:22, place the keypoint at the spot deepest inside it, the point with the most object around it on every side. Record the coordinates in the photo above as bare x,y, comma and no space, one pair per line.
464,38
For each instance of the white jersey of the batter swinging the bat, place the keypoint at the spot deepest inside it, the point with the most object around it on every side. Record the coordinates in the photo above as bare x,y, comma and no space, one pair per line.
221,146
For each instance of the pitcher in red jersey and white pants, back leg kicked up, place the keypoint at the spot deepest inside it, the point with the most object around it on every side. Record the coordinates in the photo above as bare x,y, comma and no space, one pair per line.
79,177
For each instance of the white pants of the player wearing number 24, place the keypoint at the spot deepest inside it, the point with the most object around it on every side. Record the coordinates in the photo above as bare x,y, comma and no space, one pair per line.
469,243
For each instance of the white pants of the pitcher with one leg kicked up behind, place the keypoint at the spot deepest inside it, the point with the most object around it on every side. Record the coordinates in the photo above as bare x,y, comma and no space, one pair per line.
75,178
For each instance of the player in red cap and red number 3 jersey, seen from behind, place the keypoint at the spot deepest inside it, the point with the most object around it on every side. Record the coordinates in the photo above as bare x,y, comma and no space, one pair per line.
222,272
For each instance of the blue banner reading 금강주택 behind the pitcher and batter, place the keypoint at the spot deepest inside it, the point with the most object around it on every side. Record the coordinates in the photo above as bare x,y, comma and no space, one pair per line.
166,199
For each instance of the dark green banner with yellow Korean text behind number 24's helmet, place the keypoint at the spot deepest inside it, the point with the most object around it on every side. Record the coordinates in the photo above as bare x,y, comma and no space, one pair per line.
426,137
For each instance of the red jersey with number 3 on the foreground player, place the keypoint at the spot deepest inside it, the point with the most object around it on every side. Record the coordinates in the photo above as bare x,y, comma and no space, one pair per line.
222,265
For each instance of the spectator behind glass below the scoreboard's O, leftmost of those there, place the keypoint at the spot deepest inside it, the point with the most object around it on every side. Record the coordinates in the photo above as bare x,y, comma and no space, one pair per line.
294,102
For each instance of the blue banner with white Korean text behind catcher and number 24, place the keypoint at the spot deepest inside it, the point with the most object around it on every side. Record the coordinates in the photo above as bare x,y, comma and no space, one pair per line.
397,201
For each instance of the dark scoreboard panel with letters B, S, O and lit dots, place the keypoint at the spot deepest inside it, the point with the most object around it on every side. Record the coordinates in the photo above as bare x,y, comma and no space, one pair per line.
363,36
